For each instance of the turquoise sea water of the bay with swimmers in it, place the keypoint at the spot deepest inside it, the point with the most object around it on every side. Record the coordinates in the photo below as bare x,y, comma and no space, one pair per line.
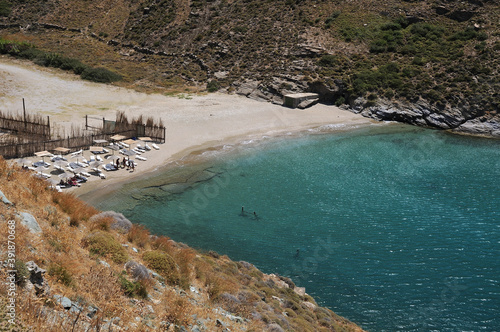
397,228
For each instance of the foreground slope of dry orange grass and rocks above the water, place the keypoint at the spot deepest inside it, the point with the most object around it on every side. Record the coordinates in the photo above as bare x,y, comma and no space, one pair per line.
68,267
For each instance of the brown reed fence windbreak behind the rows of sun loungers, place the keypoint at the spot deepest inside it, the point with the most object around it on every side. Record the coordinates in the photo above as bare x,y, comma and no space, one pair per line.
20,144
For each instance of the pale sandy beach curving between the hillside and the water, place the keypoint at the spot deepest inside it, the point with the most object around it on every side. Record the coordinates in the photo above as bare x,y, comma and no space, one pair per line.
193,122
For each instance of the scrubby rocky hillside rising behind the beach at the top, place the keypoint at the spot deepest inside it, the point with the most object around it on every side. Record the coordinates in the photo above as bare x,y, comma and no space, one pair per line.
425,62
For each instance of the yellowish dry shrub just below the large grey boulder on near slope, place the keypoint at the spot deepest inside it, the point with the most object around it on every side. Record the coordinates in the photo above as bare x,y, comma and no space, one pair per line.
105,244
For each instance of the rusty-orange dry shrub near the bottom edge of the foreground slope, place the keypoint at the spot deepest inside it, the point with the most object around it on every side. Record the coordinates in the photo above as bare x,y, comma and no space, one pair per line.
177,309
